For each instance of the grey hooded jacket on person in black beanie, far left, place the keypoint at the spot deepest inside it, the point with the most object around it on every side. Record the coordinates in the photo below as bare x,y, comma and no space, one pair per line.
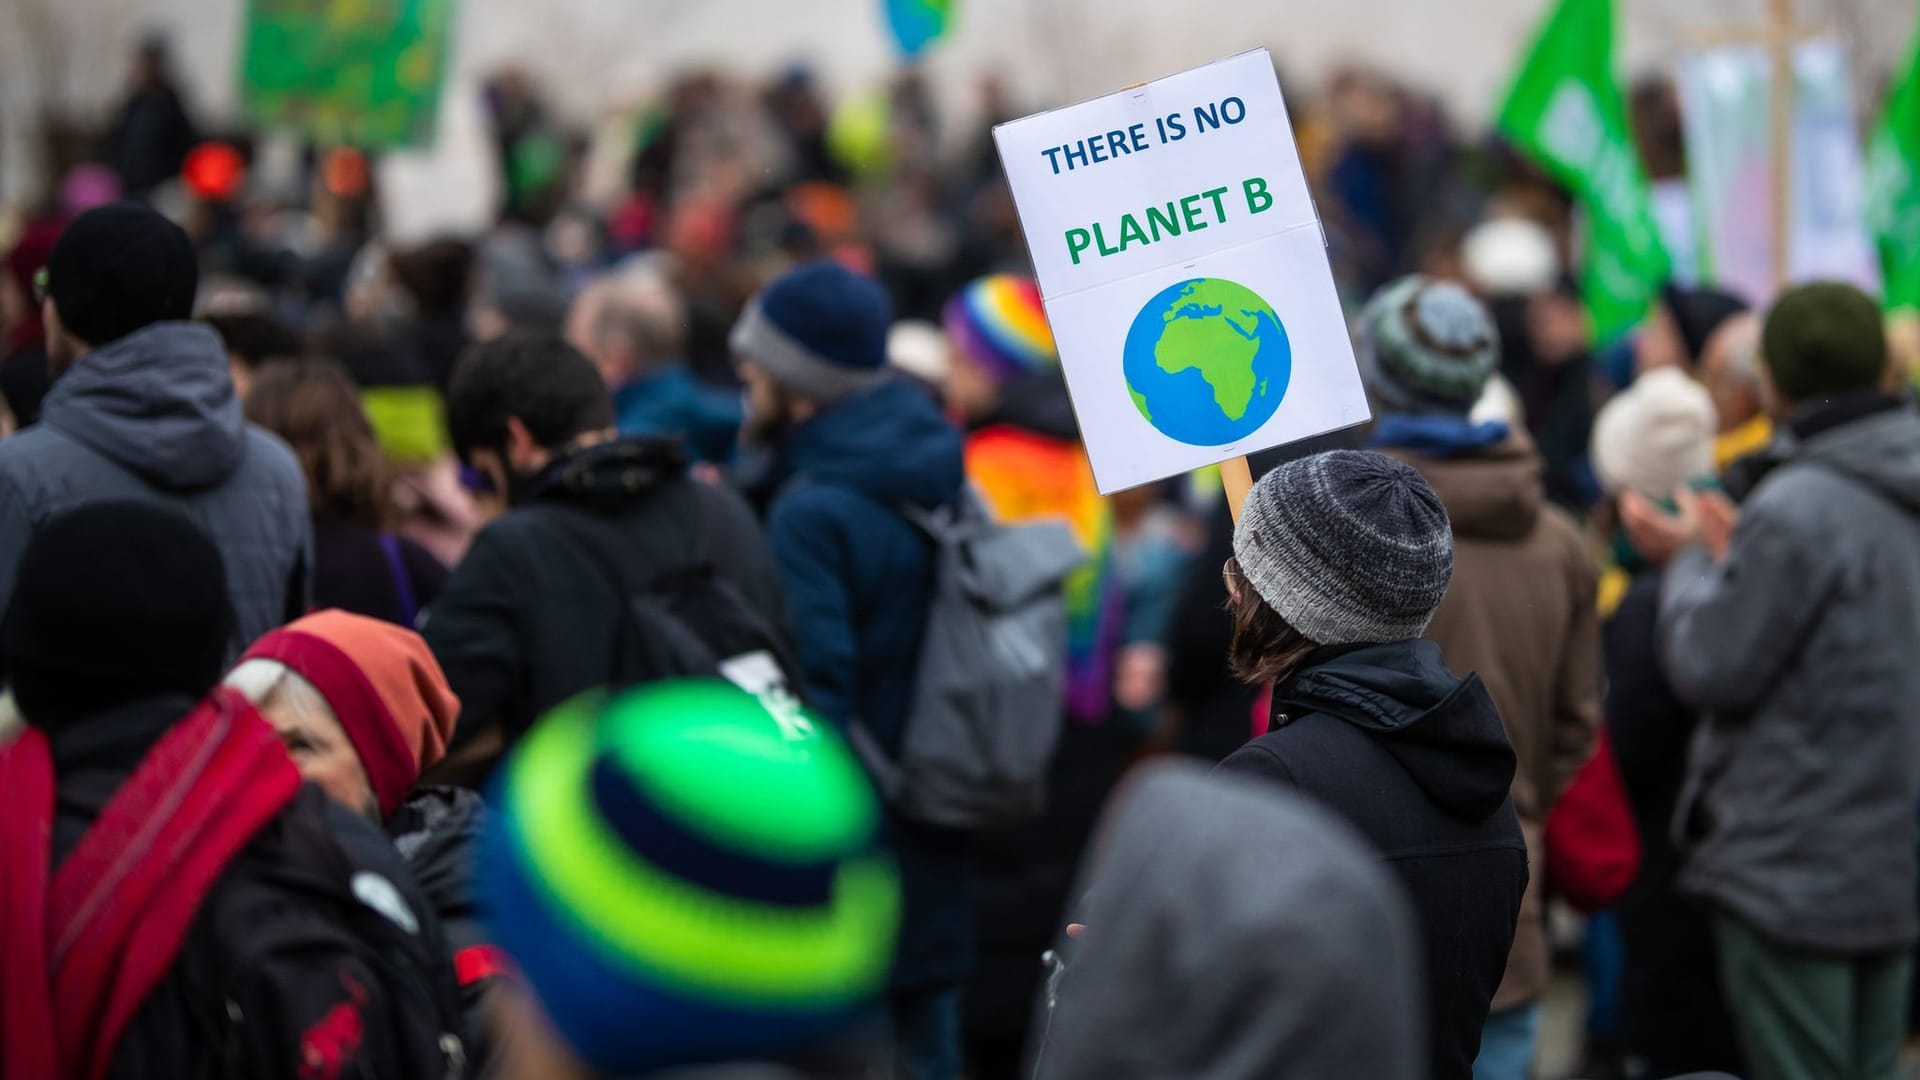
155,416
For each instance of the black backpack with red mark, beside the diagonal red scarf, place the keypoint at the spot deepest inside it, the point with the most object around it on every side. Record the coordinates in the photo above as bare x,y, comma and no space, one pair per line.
316,948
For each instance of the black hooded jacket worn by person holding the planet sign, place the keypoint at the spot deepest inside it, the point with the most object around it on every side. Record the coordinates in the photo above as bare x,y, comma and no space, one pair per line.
1418,762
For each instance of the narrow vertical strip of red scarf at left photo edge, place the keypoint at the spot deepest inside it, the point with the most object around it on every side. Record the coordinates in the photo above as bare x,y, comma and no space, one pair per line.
28,1044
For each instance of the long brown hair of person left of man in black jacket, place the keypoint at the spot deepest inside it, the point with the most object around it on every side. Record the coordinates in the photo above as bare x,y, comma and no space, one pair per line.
316,408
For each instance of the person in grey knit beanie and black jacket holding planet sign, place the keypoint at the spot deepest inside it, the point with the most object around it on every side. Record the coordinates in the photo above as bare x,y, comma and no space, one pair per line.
1339,566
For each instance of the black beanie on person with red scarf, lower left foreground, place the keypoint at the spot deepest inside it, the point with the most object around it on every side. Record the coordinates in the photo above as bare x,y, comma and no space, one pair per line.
114,602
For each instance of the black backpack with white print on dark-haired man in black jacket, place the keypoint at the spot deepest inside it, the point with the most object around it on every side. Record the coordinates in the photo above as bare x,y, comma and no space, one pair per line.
683,618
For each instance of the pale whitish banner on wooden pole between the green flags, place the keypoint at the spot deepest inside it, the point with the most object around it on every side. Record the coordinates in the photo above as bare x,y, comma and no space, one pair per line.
1727,101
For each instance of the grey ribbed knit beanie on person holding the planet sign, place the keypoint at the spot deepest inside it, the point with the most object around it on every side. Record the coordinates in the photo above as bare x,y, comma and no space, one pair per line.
1347,547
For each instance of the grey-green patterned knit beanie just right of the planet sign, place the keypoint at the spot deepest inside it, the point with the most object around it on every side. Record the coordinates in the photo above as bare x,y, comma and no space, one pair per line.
1428,347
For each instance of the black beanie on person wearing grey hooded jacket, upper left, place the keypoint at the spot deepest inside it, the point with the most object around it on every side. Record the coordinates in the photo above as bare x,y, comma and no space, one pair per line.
122,268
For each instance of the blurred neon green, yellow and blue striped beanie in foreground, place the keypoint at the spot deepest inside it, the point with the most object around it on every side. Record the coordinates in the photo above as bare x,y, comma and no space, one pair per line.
686,875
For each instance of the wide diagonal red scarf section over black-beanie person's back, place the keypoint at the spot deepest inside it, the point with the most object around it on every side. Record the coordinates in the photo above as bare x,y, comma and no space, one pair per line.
124,900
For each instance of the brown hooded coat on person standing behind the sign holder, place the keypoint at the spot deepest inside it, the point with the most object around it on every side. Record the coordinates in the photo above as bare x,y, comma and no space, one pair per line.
1522,614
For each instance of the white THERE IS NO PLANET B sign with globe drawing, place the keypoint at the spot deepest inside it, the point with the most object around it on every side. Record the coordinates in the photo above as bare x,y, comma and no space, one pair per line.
1184,272
